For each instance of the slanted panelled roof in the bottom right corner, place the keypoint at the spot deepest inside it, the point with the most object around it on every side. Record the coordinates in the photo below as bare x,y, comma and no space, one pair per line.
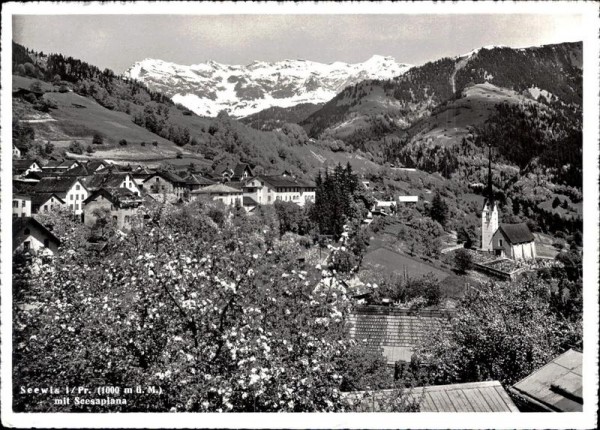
557,386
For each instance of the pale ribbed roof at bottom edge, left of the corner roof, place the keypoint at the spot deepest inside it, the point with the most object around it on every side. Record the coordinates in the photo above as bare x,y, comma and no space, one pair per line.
487,396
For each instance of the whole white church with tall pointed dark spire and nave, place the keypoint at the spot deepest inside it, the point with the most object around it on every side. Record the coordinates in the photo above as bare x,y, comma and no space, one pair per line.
514,241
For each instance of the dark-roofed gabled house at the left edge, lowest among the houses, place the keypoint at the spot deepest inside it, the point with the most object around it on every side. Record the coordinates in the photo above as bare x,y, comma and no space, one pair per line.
30,236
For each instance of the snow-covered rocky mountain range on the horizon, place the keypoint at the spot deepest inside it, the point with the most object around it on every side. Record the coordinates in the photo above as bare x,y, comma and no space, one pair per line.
210,87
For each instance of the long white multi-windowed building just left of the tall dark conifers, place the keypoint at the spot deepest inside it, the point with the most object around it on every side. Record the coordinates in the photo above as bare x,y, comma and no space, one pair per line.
269,189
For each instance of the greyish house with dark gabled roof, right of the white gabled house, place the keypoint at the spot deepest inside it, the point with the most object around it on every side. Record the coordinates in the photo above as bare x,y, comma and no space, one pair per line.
120,205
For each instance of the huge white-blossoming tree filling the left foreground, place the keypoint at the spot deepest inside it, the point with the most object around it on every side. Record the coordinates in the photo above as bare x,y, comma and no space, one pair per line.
218,316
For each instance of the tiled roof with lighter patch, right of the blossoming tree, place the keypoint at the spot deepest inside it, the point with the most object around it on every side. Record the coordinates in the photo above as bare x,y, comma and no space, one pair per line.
396,330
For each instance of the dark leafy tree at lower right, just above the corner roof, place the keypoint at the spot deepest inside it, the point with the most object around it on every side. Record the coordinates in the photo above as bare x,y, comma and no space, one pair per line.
502,332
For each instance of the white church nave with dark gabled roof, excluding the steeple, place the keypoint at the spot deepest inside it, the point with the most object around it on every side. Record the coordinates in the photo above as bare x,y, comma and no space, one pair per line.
514,241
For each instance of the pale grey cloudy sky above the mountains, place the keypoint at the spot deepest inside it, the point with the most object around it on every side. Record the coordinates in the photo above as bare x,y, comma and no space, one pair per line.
118,41
